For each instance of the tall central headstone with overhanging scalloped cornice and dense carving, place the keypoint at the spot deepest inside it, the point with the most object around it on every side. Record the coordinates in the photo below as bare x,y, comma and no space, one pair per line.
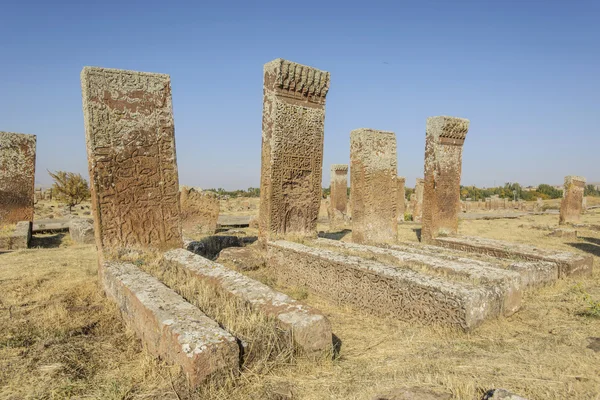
292,148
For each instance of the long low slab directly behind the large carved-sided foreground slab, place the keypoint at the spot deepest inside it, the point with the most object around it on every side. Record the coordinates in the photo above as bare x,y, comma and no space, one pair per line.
504,287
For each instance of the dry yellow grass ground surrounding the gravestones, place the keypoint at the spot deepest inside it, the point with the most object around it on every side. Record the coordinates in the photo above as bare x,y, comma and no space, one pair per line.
61,338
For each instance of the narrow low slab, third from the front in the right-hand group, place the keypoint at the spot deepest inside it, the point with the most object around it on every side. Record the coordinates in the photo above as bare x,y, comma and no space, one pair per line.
533,273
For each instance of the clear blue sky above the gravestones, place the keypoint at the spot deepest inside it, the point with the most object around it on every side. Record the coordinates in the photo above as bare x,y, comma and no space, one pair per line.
525,73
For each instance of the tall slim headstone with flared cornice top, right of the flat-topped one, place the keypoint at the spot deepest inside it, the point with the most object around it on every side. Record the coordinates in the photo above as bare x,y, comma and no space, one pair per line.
444,141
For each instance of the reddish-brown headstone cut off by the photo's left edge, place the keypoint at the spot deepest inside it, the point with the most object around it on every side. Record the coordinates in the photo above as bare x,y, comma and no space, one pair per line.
17,177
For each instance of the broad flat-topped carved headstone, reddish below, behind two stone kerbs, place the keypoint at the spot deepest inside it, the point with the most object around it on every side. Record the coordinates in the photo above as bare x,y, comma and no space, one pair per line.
130,139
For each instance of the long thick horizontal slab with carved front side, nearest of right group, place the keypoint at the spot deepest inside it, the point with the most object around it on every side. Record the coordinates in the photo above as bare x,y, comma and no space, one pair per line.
378,288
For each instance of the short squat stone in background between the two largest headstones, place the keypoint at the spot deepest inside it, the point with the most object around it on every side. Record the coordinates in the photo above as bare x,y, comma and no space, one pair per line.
199,210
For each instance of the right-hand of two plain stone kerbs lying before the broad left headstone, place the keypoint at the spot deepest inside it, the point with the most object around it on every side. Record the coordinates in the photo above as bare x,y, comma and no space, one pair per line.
310,330
